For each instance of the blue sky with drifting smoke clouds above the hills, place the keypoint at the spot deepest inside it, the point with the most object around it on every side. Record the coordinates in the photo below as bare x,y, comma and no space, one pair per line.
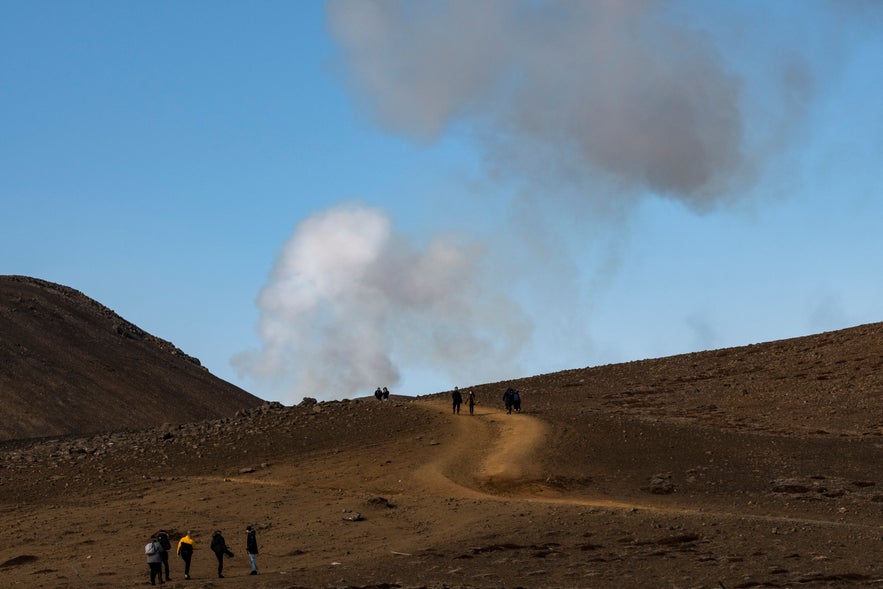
317,199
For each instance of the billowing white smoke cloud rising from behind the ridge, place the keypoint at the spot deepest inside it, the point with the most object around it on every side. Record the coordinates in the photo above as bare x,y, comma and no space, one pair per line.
349,301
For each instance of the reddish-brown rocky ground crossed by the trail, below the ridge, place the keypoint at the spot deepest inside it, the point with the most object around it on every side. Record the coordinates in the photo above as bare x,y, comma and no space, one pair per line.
748,467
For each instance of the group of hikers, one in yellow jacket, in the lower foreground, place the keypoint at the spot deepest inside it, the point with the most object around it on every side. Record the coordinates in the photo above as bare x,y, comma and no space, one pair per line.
157,551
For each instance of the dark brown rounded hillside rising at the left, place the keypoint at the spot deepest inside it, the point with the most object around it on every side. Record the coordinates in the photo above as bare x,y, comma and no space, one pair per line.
69,365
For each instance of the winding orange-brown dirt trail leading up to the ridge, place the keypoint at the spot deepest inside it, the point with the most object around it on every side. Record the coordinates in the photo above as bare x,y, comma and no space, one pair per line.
505,465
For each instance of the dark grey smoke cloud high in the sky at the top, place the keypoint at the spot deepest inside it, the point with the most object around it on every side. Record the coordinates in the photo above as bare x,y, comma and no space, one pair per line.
614,94
